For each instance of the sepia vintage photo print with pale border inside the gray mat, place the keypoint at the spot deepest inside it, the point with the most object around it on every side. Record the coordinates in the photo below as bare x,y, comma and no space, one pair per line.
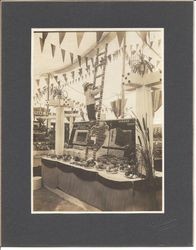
97,120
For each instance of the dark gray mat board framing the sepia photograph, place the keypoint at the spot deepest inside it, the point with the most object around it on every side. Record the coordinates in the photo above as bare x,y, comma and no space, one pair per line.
19,226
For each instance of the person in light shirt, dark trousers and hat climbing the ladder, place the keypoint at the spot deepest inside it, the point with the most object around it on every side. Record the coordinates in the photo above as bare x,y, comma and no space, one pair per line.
90,94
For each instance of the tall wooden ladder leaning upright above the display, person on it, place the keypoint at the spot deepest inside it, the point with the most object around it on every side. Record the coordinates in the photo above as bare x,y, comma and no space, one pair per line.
100,65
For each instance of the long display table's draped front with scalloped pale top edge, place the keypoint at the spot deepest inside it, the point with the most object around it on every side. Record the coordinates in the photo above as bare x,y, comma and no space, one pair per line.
105,191
